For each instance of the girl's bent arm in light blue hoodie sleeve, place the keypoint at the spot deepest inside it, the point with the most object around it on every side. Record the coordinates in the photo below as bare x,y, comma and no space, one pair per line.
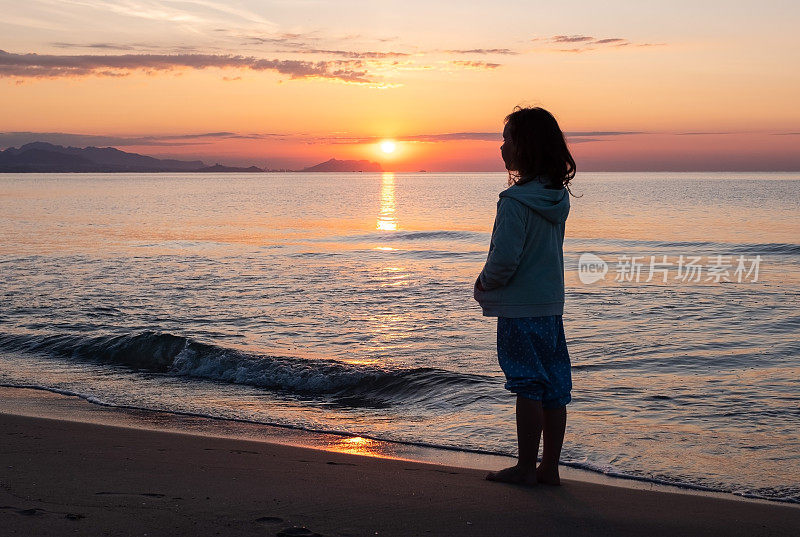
508,239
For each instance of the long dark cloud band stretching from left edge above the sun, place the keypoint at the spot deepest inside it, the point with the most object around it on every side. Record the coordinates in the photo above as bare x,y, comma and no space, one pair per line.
53,66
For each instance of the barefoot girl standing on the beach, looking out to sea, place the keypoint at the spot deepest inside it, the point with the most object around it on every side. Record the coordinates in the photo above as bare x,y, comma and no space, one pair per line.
522,284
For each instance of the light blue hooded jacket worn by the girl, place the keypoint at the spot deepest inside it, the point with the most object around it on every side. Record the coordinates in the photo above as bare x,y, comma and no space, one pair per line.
524,272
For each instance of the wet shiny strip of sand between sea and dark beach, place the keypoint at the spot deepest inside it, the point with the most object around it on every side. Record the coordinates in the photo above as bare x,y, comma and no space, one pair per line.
39,402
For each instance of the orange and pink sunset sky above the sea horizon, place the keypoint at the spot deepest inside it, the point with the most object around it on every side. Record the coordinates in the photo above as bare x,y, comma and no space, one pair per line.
636,86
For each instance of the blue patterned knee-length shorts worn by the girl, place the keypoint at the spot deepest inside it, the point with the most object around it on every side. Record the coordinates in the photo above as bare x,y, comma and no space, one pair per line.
532,352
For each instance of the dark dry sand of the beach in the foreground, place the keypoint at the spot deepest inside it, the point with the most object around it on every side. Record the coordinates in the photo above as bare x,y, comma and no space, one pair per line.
69,478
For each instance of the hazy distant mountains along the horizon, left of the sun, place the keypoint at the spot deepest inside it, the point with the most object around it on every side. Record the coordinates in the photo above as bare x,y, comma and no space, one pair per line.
46,157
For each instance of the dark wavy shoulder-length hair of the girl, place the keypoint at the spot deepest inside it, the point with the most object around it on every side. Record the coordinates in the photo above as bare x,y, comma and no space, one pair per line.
539,148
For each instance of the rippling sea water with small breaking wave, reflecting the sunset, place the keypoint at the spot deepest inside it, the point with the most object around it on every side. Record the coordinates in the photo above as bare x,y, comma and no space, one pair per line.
343,303
